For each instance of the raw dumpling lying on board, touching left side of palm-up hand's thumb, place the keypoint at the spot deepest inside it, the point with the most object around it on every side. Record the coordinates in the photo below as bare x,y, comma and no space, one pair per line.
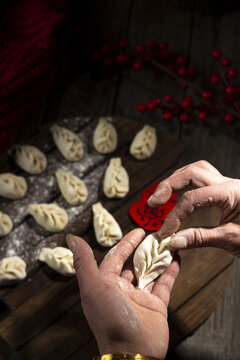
59,259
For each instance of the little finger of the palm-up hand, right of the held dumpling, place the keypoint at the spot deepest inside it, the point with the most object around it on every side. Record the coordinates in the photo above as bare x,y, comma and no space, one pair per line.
163,285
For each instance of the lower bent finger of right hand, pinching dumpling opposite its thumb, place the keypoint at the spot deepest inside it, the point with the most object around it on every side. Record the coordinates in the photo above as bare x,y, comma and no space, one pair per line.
225,195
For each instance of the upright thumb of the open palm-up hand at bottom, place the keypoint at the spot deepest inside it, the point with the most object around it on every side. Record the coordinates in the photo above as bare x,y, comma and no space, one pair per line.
84,263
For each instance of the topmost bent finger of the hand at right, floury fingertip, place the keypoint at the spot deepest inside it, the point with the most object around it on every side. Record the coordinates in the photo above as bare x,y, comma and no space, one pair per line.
193,175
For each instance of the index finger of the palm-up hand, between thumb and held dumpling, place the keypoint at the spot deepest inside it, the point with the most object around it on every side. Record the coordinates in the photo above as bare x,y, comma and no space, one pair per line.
117,256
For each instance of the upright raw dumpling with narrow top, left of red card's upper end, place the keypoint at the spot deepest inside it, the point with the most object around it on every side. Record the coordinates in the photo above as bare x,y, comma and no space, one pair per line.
116,180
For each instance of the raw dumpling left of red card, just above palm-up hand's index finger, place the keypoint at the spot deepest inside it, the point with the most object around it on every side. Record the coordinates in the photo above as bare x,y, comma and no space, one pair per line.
106,228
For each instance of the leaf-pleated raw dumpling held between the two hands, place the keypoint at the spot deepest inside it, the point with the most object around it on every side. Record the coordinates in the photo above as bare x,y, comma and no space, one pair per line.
151,259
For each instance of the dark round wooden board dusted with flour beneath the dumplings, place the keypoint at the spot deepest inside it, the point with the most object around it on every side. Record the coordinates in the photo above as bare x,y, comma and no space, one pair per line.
42,316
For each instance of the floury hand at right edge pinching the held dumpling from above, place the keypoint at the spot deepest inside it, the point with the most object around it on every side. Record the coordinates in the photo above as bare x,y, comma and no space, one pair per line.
212,189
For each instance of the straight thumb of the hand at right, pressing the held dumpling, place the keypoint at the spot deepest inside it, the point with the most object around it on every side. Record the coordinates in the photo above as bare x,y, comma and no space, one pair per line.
201,237
